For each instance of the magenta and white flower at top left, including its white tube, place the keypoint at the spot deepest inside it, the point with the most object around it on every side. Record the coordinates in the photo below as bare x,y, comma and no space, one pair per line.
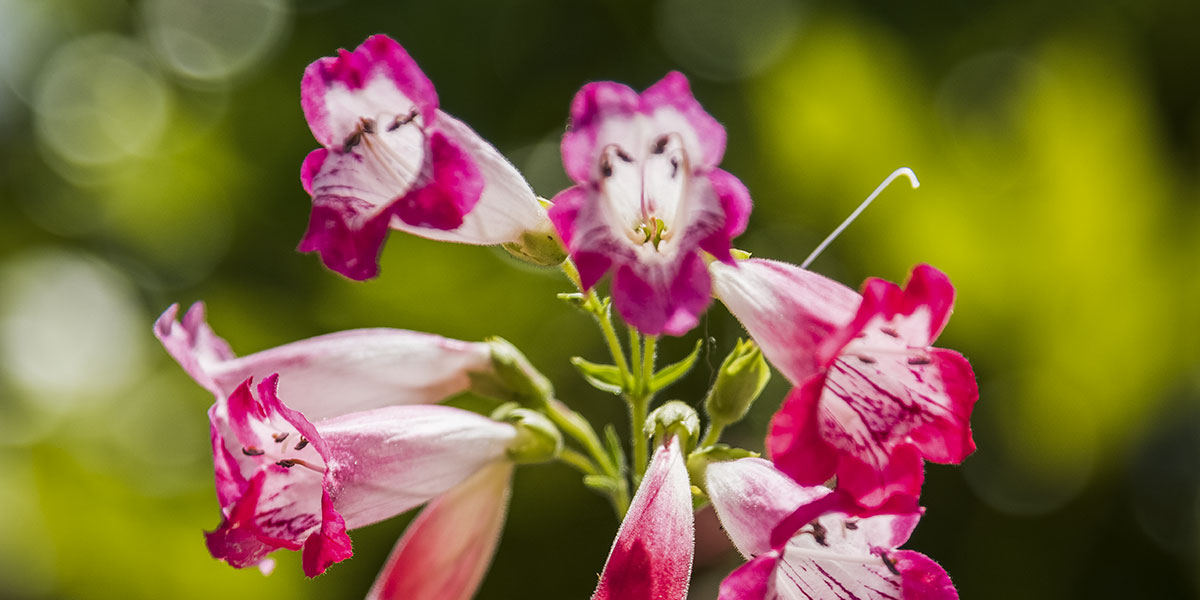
391,159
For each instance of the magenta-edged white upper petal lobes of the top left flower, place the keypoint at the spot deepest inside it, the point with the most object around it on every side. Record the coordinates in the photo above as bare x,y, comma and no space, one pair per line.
379,79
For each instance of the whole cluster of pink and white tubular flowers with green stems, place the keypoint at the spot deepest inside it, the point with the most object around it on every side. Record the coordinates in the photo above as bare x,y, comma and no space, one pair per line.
322,436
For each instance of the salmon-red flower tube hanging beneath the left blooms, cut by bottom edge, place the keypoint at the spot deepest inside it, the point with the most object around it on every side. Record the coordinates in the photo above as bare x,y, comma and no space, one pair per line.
447,550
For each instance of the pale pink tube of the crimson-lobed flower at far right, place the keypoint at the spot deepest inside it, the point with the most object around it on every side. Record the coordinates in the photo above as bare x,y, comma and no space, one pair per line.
789,311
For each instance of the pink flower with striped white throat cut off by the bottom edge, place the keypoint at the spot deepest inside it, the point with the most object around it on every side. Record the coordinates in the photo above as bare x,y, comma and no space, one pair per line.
827,554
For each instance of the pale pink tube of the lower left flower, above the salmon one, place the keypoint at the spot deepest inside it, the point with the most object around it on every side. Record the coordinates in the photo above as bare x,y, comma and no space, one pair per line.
389,460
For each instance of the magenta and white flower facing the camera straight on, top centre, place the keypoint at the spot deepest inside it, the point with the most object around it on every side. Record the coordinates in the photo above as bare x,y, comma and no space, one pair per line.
649,199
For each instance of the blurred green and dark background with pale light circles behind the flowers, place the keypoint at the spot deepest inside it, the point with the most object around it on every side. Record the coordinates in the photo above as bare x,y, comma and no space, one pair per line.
149,154
